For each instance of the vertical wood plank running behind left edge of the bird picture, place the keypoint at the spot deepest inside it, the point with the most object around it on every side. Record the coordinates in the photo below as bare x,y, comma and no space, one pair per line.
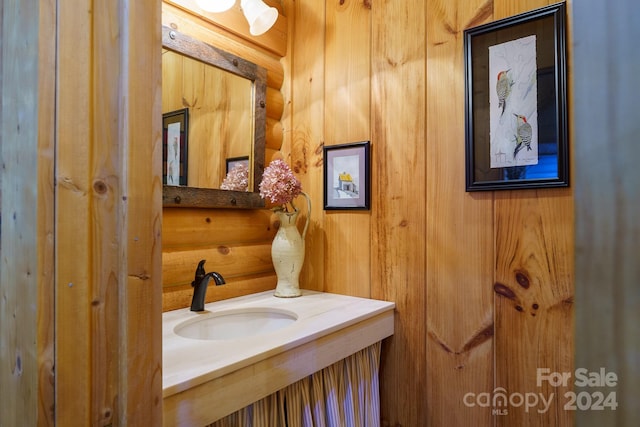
459,233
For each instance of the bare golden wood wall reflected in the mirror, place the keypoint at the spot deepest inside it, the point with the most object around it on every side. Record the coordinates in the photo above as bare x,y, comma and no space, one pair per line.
220,115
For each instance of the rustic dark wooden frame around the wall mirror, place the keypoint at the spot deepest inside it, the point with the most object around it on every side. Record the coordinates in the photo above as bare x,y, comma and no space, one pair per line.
177,196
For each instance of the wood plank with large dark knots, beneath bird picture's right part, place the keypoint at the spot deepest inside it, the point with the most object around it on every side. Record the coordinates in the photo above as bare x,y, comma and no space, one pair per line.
534,244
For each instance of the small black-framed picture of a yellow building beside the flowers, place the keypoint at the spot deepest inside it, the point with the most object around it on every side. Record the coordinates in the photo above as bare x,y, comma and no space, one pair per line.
347,176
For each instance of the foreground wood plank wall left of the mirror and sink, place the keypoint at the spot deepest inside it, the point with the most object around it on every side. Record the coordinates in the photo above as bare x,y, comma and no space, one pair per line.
80,283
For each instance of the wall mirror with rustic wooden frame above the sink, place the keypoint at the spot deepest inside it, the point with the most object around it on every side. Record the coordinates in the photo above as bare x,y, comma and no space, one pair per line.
213,103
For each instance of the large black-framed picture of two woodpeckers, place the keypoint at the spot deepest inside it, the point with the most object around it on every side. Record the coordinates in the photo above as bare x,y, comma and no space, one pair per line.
503,149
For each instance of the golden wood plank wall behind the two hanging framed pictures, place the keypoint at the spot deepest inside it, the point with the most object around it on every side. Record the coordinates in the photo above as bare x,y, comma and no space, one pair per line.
392,72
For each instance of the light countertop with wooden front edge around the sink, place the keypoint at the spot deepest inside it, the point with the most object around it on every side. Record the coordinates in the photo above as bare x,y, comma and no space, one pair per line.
202,374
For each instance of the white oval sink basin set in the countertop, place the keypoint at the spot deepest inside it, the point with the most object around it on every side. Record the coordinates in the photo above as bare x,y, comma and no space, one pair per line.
234,324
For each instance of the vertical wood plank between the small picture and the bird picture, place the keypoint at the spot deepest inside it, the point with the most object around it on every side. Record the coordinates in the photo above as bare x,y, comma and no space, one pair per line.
399,191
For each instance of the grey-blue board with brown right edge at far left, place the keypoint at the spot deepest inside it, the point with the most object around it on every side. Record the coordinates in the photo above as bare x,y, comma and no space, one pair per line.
26,212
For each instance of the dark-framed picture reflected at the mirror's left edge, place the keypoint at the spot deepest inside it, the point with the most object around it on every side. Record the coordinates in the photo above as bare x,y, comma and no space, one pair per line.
170,121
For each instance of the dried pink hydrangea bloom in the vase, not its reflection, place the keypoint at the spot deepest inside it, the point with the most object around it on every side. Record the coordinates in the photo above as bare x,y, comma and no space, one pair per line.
279,185
